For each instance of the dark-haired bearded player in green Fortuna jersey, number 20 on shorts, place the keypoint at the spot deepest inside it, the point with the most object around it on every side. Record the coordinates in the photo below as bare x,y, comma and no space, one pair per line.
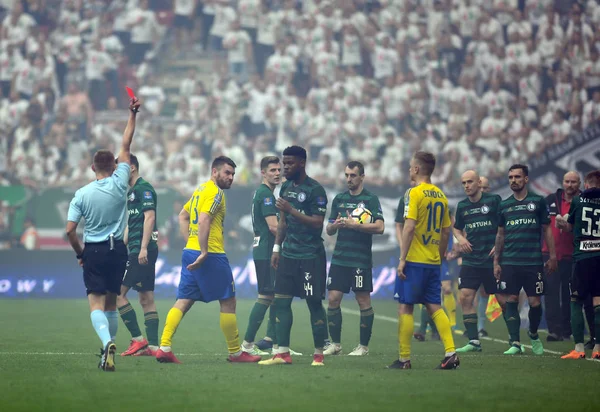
518,261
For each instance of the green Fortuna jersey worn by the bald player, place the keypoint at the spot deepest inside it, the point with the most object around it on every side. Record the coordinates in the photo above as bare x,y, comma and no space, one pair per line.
479,221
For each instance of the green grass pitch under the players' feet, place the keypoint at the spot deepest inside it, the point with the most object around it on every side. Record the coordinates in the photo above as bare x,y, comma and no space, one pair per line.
48,347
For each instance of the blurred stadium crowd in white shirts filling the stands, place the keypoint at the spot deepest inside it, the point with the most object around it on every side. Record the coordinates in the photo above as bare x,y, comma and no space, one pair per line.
482,84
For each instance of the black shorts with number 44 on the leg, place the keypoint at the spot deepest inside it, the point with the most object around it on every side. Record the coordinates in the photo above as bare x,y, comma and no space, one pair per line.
304,278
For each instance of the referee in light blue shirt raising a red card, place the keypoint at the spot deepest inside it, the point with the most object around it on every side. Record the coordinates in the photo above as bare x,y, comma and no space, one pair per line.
102,203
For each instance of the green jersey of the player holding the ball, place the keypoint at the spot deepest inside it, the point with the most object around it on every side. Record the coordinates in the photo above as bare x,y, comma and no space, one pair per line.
353,248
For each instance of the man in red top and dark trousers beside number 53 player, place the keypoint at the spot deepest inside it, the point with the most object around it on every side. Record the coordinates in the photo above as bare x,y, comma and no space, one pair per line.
557,299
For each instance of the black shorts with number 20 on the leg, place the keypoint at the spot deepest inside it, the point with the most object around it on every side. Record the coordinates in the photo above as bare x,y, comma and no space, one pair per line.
530,278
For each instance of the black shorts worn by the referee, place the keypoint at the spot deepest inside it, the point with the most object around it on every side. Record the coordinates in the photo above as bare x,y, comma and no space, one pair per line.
103,268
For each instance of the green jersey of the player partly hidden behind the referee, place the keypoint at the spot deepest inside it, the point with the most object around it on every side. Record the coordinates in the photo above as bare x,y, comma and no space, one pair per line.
140,198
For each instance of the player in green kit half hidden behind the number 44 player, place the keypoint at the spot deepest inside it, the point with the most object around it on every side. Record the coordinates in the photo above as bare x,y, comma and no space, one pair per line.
264,225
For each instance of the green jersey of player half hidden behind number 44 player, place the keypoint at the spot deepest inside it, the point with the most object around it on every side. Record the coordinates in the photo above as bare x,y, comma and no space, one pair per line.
263,206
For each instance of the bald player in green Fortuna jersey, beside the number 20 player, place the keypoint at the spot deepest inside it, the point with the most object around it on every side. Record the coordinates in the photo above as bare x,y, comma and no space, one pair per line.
475,228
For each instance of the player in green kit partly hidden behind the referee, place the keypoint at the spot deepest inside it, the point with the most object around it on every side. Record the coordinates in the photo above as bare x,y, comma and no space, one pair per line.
141,237
